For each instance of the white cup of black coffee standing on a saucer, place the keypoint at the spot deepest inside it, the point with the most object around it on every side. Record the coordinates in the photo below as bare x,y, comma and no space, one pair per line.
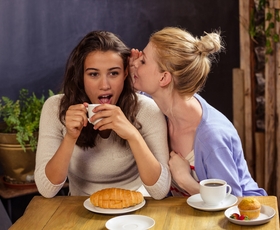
214,191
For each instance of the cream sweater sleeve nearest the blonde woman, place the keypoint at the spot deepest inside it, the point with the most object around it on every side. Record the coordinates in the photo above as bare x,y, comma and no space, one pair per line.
154,132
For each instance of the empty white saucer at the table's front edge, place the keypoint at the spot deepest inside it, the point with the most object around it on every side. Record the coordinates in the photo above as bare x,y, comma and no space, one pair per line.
129,222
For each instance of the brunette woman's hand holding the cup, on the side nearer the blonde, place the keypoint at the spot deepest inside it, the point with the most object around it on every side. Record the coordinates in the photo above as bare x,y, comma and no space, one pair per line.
113,118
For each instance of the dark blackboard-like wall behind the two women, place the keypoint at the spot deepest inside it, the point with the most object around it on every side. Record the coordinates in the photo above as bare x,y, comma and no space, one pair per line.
36,37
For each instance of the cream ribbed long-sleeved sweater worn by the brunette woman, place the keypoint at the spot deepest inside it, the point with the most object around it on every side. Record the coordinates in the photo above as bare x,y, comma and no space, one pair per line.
108,164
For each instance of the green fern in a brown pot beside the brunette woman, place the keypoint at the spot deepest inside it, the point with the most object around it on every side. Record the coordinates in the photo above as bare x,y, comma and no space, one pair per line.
18,136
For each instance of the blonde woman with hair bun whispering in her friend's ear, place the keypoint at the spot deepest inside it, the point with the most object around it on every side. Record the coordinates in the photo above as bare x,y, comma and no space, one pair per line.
172,69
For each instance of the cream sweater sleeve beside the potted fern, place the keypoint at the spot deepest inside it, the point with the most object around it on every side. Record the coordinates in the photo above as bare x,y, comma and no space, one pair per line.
50,137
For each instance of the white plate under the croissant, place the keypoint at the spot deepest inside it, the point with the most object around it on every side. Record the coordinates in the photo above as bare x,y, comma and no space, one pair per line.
89,206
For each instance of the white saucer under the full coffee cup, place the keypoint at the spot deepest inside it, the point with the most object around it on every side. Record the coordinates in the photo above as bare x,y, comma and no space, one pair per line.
196,202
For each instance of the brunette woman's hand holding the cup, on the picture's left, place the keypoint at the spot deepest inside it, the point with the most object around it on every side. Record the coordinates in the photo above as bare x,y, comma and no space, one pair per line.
76,119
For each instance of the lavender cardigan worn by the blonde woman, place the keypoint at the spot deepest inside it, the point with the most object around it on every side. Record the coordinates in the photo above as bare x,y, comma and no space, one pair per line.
219,154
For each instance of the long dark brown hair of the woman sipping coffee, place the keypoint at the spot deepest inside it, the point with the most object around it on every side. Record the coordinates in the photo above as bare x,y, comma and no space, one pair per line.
73,83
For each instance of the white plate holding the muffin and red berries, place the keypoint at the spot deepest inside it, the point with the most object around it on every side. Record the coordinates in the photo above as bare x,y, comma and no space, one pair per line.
266,214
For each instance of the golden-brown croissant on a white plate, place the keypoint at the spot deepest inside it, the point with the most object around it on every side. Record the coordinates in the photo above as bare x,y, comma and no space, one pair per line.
116,198
